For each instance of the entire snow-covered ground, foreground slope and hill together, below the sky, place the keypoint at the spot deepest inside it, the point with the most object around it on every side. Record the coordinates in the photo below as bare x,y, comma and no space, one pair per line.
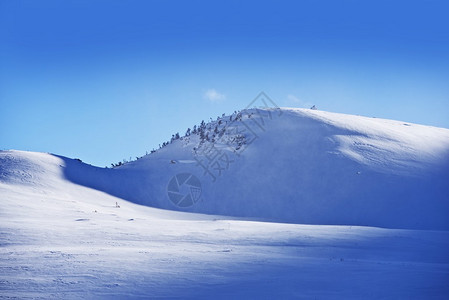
62,236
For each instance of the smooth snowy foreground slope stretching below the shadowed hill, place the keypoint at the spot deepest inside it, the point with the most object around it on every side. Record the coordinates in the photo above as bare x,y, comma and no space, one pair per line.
61,240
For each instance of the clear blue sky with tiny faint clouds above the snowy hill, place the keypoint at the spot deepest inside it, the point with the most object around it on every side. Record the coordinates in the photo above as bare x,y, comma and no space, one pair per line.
106,80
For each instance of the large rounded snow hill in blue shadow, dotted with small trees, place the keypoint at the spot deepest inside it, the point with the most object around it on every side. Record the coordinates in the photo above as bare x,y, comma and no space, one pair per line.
297,166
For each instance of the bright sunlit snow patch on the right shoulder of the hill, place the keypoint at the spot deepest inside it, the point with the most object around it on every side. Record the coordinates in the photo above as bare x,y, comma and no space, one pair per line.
387,145
